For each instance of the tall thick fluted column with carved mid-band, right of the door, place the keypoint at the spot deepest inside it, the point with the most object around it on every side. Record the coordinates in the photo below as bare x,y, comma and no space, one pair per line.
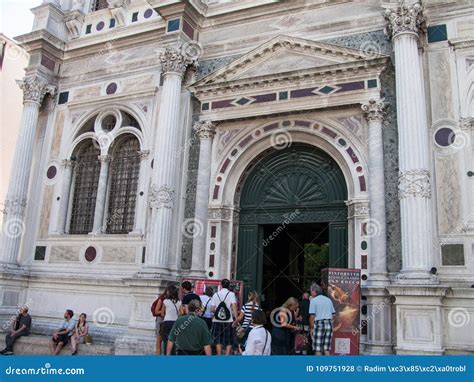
403,25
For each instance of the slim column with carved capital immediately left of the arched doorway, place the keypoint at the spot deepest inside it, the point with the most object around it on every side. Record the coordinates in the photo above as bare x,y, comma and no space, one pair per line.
205,131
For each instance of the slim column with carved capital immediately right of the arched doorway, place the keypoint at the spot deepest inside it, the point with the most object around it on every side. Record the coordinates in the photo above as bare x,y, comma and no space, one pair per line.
378,242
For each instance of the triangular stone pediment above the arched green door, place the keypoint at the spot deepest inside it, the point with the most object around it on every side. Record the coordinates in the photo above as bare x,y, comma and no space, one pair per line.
284,55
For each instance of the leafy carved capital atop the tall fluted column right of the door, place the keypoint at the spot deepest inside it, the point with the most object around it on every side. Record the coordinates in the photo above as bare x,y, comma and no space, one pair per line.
404,19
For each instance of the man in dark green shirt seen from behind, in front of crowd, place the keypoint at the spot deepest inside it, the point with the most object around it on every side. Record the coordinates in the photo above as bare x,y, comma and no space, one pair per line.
190,333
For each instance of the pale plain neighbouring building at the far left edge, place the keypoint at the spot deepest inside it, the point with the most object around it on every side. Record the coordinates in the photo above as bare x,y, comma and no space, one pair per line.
13,61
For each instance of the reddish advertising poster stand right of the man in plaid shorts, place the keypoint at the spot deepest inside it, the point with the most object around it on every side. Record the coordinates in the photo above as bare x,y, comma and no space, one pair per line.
342,286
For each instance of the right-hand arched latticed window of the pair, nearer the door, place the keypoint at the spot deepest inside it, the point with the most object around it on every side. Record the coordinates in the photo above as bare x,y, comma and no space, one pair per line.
124,172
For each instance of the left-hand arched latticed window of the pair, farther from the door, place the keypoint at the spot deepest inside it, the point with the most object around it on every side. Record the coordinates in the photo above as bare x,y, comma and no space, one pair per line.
86,178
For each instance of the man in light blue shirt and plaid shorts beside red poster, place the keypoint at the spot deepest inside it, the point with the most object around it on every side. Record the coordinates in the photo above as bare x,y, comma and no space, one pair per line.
321,310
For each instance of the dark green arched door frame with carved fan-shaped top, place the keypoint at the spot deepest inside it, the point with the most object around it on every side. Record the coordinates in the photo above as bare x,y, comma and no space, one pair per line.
300,184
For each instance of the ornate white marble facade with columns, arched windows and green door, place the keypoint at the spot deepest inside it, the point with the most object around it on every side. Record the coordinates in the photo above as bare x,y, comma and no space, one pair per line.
163,140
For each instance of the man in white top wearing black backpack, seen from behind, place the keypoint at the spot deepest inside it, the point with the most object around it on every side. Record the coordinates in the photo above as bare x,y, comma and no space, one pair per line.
224,307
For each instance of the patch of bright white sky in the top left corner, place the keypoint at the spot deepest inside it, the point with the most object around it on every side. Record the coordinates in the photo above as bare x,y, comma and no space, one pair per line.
16,18
